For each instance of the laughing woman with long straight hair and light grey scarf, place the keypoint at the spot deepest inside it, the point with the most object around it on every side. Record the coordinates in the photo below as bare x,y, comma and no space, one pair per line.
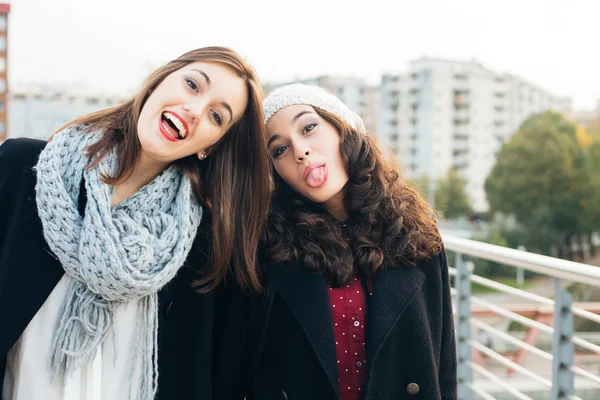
114,233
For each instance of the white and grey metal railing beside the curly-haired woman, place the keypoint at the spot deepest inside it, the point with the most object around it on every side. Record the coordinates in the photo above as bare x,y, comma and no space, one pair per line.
552,315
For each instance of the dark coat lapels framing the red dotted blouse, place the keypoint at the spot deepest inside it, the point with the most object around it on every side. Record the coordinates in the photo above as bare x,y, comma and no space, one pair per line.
305,293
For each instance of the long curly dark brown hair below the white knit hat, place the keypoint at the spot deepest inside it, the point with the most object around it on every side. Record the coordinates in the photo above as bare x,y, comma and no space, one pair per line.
389,225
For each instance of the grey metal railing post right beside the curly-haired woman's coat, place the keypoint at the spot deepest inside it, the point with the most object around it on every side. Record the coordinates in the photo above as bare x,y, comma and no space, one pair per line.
463,327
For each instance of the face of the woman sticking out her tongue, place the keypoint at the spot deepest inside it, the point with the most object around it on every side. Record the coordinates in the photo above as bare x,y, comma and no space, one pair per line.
305,149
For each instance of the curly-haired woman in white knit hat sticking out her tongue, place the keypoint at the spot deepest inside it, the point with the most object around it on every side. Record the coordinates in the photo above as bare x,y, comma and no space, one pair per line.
357,301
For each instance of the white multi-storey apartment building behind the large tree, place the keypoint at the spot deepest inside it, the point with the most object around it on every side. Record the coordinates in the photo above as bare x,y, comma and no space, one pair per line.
450,114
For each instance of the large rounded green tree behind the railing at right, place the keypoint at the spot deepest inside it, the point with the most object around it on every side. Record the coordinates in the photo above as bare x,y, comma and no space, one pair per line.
542,177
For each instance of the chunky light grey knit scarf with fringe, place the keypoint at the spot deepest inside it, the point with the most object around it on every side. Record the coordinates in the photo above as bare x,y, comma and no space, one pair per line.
114,255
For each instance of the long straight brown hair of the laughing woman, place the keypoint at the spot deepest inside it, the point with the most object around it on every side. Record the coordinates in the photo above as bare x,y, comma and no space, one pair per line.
233,183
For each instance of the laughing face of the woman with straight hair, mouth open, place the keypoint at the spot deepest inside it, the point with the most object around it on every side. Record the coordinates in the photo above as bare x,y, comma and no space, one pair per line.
190,110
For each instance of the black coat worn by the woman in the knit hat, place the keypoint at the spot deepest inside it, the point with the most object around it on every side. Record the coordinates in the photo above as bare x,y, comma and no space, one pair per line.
410,341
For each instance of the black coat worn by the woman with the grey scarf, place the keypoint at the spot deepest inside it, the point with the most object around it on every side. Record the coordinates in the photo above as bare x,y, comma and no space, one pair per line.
29,272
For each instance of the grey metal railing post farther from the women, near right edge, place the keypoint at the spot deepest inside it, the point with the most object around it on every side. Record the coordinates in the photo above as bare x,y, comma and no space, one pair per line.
563,384
